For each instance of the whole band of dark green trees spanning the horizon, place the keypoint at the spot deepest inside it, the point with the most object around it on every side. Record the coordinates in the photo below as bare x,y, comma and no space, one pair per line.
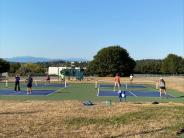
107,62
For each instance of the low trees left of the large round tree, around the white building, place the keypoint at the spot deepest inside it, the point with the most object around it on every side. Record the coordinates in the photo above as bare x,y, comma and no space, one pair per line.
39,68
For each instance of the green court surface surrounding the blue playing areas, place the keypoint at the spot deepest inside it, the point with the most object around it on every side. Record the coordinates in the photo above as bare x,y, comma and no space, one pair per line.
83,91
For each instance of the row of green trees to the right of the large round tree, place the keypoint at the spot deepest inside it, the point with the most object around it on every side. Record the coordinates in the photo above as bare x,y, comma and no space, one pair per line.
172,64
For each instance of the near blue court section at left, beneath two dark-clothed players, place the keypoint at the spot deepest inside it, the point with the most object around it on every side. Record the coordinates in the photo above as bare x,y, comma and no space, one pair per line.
34,92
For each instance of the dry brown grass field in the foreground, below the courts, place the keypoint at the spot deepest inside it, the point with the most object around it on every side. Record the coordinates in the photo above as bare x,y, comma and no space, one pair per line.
72,119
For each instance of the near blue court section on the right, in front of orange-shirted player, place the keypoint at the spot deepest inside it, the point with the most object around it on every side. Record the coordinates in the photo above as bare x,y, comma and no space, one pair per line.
134,93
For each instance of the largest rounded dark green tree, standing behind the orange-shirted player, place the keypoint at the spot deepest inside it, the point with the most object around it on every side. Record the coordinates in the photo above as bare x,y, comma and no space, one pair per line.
111,60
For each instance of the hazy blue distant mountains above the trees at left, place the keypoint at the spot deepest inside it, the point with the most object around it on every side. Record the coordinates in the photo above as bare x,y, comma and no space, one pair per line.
25,59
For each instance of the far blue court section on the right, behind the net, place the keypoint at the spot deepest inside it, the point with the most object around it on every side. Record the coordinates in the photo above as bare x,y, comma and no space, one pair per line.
123,85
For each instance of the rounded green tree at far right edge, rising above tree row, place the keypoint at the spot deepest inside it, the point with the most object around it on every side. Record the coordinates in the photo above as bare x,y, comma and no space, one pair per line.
172,64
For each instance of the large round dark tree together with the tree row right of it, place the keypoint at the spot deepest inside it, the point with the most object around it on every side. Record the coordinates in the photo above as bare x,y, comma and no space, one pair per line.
115,59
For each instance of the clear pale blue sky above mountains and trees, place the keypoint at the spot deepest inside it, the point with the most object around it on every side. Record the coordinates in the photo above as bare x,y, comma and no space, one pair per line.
80,28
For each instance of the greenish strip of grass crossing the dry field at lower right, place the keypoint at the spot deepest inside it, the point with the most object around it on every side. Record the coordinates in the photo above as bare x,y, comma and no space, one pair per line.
139,117
